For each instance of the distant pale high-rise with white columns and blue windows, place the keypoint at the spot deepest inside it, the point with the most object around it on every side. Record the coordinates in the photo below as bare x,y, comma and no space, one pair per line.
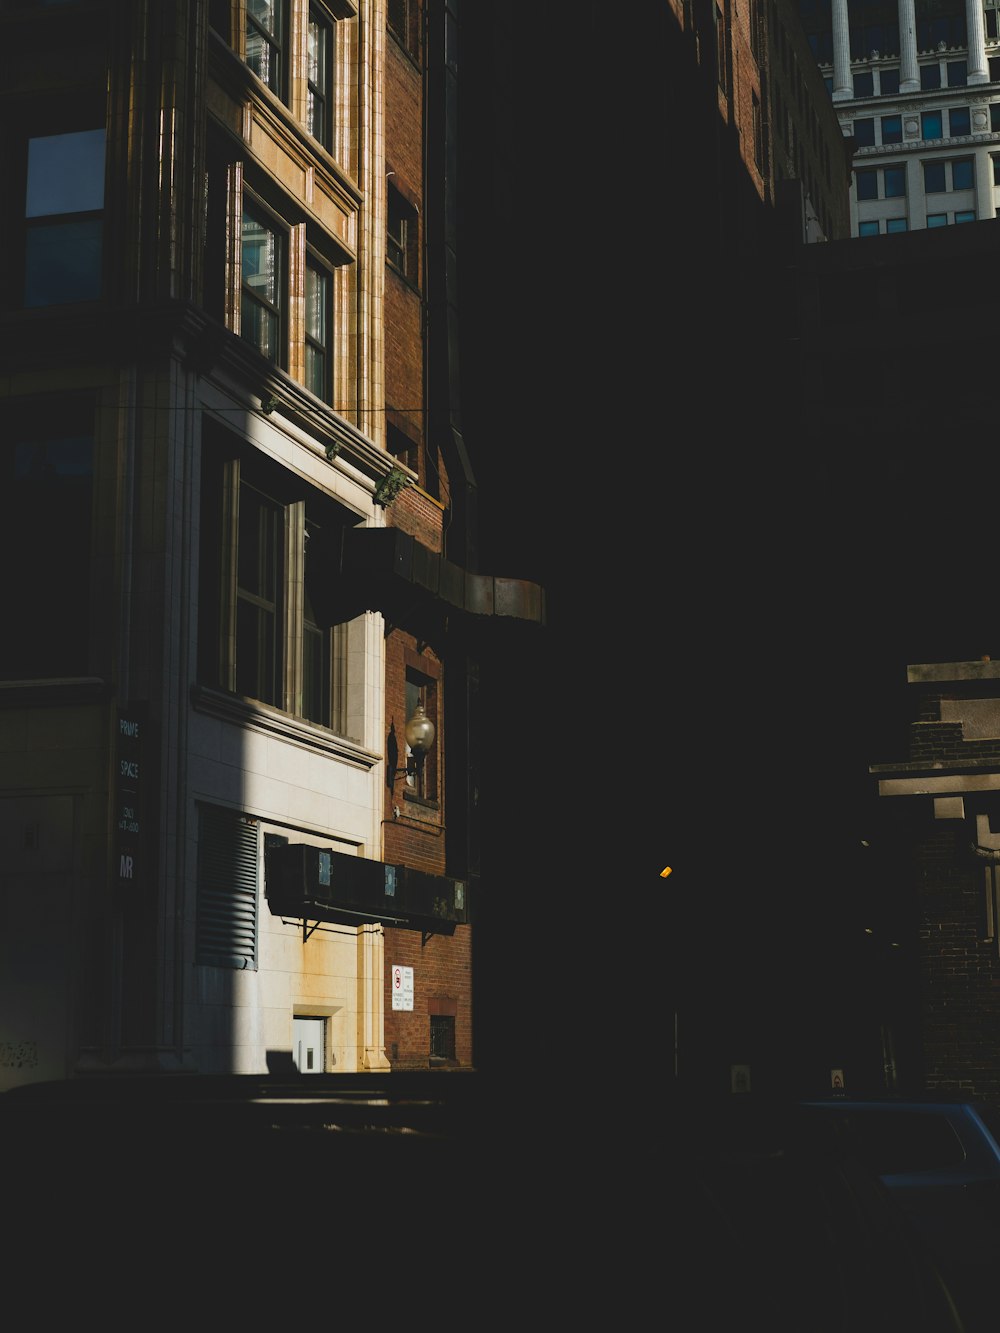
917,94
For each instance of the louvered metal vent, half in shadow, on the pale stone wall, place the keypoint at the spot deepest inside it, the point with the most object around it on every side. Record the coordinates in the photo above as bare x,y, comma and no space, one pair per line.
227,890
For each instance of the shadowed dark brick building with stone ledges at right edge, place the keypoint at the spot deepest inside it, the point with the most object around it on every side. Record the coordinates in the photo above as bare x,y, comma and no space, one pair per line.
945,831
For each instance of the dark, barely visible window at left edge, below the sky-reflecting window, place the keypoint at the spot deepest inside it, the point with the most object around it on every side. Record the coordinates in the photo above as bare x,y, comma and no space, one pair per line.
46,499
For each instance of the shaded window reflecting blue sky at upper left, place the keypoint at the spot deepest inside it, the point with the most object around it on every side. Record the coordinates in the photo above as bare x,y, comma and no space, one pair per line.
65,218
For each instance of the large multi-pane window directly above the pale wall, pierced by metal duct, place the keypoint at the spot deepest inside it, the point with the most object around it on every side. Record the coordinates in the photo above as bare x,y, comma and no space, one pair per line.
270,574
